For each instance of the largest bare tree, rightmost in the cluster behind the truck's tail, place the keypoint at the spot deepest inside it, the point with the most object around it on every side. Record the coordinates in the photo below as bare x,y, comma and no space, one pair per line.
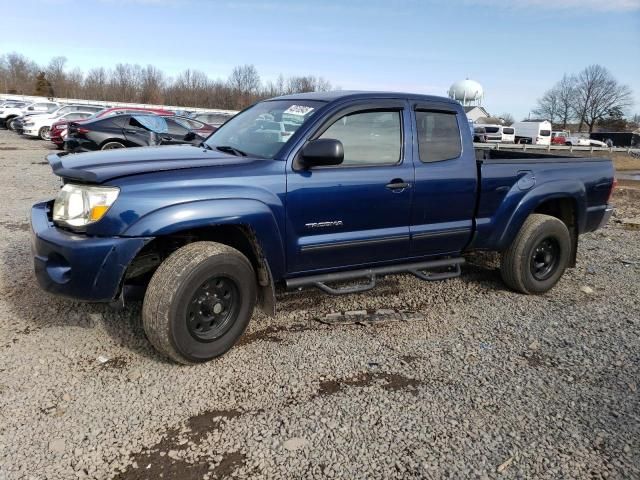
598,95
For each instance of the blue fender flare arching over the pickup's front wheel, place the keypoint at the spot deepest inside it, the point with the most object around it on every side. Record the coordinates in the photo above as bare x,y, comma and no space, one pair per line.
247,213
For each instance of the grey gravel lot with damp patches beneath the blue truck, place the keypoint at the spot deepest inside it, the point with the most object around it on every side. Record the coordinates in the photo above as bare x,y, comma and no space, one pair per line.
486,384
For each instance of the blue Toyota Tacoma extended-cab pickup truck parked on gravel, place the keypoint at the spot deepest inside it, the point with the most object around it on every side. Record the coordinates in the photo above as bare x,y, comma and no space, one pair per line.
327,190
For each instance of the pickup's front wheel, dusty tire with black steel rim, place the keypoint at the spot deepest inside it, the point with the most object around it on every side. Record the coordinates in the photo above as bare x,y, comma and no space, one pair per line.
177,290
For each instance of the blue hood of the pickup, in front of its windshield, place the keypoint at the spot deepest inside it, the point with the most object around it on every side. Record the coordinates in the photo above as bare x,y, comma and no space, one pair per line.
98,167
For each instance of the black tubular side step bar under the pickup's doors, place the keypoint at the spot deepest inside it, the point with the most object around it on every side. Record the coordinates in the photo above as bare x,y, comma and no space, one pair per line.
418,269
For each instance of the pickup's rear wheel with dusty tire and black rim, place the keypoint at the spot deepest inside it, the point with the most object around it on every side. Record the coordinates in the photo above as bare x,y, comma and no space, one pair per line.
538,256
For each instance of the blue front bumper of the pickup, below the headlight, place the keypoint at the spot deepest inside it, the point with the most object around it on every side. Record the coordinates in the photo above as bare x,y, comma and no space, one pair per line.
76,265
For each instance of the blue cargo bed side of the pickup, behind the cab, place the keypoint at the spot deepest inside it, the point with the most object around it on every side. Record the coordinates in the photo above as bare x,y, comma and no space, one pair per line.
510,182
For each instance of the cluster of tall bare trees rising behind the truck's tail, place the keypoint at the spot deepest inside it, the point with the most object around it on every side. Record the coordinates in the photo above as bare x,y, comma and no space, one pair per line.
592,97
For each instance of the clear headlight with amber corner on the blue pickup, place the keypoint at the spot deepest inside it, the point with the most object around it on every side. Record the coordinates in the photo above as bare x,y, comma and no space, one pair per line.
80,205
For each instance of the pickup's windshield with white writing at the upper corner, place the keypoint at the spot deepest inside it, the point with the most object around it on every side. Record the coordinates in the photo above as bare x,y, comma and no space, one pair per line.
263,129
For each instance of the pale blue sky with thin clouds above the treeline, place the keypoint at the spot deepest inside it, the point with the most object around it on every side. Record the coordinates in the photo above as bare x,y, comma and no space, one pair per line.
516,49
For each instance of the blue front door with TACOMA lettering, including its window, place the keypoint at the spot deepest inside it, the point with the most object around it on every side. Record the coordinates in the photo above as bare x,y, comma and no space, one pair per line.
358,212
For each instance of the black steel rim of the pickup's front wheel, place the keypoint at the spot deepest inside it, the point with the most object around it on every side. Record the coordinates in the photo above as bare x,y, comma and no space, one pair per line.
213,309
